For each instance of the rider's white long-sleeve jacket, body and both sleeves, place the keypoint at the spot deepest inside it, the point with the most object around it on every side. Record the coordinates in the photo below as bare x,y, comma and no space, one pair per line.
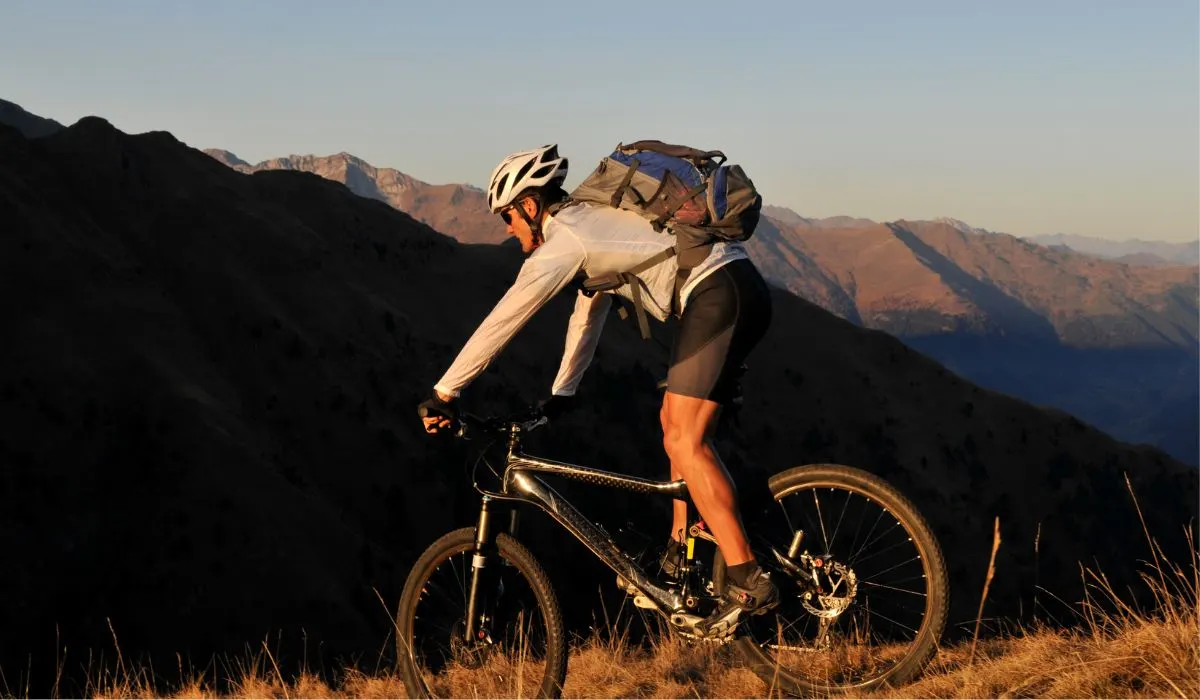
597,241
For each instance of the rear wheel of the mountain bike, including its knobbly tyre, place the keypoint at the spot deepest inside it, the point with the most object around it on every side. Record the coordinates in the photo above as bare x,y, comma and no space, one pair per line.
863,599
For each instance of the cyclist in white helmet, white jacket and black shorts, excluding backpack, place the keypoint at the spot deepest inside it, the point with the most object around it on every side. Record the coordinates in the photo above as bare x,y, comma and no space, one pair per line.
725,313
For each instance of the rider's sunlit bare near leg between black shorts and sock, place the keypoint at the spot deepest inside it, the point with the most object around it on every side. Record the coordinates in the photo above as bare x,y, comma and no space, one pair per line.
688,424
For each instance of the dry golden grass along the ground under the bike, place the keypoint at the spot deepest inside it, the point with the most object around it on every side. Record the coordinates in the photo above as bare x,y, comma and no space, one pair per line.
1118,651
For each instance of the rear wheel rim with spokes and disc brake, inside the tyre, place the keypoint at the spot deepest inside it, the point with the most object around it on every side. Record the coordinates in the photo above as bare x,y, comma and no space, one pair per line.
869,609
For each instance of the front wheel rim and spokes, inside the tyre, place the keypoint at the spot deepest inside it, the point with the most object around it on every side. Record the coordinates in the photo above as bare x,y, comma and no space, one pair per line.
508,657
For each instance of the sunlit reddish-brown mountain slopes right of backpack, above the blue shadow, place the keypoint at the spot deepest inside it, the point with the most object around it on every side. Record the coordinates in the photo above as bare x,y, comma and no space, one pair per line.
920,278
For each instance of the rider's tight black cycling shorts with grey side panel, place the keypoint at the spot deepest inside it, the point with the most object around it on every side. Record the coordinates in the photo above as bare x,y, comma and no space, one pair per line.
727,316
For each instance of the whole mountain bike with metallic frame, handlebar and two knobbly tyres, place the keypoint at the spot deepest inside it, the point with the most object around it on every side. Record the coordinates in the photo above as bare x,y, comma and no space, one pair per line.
824,585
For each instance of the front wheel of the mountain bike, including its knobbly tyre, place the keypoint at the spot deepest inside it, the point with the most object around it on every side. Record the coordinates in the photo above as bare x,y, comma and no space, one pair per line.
519,649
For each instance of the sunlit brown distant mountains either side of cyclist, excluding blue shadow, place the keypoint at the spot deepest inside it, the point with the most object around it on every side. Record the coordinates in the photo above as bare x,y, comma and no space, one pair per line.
1073,298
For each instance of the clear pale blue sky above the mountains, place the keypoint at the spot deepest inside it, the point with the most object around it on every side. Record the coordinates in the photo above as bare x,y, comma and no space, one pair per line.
1028,118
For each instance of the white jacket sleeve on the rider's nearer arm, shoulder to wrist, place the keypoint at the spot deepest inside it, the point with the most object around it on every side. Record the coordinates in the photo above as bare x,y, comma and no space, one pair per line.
543,276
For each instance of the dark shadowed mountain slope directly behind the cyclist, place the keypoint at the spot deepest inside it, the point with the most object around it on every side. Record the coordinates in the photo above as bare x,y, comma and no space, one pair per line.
209,438
